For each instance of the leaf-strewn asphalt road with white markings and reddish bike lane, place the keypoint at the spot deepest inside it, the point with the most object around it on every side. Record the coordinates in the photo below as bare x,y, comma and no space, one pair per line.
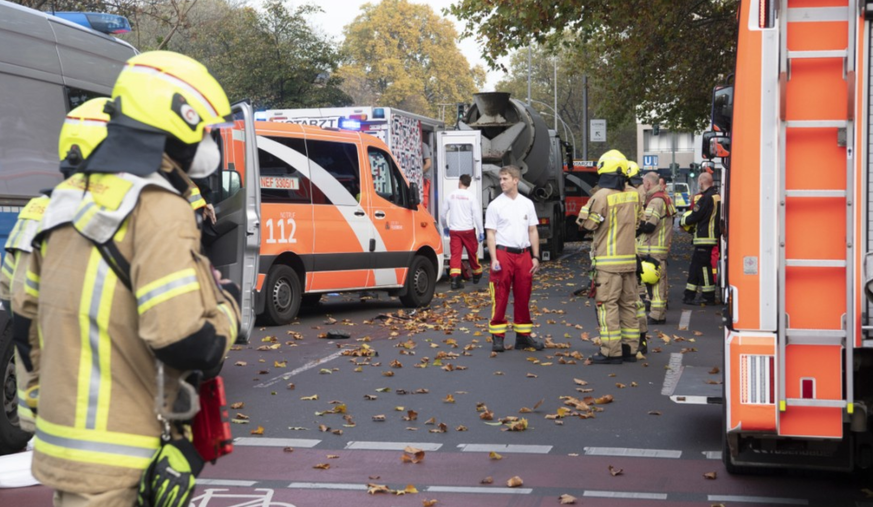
323,420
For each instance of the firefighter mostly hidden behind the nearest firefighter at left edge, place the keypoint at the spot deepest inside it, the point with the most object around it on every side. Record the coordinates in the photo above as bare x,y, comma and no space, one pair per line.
83,129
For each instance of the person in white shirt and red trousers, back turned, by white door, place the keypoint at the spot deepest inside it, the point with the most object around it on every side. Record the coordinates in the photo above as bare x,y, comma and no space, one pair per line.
462,217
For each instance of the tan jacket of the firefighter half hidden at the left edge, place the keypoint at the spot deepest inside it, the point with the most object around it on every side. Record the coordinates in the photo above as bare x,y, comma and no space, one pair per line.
18,247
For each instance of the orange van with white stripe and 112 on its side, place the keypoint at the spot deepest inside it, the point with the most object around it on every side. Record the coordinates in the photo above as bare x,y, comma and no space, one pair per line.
336,214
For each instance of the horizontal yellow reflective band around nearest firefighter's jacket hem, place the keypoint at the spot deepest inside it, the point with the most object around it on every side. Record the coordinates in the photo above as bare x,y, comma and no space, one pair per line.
90,446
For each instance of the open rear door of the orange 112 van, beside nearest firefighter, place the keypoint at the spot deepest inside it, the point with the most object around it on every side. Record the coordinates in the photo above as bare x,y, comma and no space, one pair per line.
233,242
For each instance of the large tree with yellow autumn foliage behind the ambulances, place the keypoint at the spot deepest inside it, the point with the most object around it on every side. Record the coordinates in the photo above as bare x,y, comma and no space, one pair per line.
401,54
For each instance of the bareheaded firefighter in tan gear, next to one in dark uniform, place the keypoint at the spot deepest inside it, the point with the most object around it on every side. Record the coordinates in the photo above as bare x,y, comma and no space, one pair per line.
656,236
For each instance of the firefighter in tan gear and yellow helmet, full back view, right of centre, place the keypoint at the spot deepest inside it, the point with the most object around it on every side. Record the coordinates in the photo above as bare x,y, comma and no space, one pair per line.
613,213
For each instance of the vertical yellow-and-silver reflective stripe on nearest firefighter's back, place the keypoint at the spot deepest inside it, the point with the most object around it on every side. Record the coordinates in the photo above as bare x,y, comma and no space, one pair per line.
95,377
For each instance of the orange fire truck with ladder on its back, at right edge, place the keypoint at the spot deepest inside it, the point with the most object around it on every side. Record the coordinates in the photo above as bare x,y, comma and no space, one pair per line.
793,134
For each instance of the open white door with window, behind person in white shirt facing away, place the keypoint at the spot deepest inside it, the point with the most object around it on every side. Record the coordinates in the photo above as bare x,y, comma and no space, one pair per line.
458,152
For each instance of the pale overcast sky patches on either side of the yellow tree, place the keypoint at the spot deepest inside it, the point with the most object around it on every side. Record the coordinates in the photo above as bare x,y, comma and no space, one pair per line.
339,13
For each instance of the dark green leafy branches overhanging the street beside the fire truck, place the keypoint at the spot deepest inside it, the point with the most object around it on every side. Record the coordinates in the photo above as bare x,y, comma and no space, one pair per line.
663,56
